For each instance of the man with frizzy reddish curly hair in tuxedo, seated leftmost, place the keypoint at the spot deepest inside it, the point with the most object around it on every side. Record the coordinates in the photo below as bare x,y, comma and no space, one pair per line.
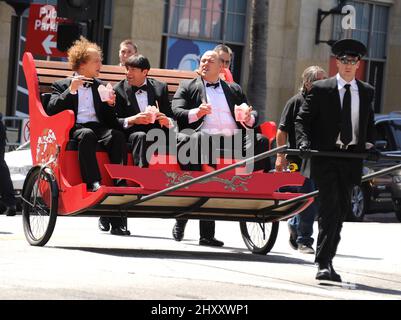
95,121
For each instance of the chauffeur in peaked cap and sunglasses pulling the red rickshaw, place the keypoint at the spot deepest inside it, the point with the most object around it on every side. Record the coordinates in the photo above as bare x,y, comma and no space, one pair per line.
336,116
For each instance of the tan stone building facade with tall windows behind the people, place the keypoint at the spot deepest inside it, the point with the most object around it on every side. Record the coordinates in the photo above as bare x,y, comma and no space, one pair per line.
174,33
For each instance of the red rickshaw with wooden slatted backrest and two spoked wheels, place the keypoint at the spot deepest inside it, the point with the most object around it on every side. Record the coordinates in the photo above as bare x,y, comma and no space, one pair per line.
54,185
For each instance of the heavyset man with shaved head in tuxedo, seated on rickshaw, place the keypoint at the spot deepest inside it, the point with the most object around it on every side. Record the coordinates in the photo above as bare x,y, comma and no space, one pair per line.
204,110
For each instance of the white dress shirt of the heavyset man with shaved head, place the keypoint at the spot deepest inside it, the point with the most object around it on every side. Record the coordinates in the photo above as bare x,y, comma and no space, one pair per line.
220,121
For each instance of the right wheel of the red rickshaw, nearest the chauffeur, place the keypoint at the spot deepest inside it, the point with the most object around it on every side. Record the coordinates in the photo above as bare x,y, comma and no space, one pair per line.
259,237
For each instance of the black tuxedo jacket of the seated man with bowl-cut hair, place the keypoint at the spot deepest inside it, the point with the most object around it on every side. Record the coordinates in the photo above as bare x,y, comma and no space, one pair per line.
127,105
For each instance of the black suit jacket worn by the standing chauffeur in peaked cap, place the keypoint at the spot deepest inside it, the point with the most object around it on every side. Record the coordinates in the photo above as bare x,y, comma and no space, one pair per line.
319,120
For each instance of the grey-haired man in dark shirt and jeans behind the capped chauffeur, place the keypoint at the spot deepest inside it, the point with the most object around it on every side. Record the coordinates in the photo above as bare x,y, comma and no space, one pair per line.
301,225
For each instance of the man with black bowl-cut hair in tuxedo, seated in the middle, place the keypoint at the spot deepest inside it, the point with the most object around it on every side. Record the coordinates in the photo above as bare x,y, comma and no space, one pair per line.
133,96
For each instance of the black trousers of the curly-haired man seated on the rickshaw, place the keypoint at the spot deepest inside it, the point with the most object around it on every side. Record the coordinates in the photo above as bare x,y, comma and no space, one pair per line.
88,136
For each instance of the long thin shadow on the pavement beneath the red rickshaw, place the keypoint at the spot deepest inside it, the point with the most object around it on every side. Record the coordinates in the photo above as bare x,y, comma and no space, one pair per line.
190,255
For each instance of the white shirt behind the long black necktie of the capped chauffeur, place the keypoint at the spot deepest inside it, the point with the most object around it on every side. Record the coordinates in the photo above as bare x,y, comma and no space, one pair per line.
354,107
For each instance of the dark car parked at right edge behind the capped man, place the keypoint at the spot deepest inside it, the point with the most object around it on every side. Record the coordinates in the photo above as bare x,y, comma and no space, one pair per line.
381,194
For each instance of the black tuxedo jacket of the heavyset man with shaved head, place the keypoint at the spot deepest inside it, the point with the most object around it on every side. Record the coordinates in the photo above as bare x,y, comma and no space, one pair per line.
190,95
